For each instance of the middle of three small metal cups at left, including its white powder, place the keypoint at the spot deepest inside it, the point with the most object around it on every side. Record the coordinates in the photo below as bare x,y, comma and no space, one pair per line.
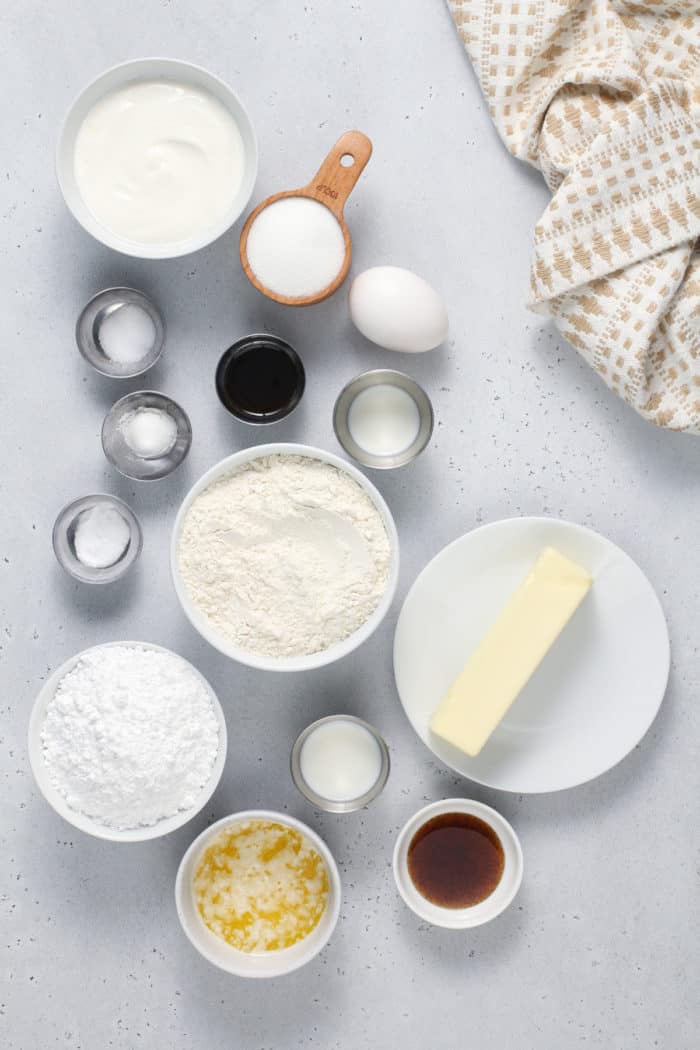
146,435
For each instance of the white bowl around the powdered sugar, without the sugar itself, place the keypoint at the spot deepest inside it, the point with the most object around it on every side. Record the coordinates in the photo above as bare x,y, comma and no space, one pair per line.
79,820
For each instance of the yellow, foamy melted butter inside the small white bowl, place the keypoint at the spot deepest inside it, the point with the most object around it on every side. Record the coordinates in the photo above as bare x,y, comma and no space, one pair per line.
261,887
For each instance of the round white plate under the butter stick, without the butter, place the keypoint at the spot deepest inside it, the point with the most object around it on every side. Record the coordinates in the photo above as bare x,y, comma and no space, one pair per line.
596,694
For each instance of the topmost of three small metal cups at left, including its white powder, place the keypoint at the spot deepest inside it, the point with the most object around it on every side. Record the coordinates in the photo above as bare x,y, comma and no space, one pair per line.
121,333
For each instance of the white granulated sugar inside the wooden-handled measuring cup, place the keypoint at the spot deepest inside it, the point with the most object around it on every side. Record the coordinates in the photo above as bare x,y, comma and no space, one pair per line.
296,247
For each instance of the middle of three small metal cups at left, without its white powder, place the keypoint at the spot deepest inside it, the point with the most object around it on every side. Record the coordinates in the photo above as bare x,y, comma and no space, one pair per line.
123,458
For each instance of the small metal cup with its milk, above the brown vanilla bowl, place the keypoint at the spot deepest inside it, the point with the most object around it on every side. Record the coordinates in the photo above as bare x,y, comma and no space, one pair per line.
341,764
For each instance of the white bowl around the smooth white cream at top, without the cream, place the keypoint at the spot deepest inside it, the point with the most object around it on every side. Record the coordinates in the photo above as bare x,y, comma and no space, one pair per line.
153,69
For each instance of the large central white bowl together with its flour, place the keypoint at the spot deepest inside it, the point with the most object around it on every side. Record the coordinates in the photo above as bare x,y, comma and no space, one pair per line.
285,557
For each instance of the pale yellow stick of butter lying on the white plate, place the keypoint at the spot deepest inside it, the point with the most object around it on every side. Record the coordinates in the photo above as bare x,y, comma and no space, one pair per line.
512,652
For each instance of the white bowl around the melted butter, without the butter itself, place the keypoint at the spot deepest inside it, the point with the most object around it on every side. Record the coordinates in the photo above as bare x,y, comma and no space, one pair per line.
271,964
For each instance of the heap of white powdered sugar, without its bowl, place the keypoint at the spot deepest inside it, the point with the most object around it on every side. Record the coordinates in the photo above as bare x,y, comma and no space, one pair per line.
131,737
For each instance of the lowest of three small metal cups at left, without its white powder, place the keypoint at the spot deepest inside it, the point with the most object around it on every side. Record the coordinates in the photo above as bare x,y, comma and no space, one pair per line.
63,548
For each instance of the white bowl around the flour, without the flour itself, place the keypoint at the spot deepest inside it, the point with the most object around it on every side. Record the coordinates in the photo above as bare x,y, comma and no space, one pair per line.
227,467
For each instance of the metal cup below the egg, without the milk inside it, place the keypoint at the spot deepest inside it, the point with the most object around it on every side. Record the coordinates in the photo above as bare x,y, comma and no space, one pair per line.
377,377
